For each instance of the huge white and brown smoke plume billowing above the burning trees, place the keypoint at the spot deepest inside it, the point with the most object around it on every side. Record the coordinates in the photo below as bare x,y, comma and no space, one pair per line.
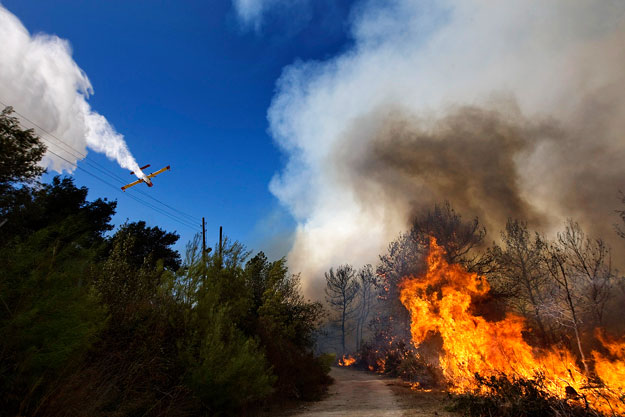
506,109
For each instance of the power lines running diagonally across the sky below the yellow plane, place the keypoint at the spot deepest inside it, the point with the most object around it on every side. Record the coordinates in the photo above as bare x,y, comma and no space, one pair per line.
186,220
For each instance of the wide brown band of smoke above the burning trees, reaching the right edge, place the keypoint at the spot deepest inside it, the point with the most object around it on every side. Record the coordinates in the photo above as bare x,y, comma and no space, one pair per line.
477,159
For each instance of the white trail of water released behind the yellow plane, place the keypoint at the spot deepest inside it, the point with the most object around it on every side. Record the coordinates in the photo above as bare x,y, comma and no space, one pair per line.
41,81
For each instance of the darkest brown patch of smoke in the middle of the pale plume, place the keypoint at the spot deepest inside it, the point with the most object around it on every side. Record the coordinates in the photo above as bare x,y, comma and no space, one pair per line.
468,158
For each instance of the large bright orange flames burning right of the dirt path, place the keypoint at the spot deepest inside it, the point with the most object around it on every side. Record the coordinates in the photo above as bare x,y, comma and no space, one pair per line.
439,302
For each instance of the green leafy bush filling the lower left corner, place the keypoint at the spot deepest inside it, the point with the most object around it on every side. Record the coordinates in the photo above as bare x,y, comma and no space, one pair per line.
50,316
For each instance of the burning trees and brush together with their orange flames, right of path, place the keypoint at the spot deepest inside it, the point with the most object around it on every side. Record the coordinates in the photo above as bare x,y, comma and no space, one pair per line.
563,293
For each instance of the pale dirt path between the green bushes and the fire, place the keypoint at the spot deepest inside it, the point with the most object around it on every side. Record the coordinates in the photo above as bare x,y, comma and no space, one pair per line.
357,393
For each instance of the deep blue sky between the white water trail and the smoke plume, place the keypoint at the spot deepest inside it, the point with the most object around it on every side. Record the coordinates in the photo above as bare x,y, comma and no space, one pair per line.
188,84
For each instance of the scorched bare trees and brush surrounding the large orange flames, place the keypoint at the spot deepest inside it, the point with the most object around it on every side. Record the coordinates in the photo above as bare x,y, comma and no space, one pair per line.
566,289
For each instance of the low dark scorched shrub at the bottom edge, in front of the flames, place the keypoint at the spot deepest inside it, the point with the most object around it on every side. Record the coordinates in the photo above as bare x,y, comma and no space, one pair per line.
516,397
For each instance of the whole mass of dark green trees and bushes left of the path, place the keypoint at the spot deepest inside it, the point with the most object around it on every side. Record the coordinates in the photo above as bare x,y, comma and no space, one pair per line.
114,322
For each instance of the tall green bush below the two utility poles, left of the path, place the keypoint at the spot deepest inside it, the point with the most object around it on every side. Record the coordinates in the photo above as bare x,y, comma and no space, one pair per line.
225,368
